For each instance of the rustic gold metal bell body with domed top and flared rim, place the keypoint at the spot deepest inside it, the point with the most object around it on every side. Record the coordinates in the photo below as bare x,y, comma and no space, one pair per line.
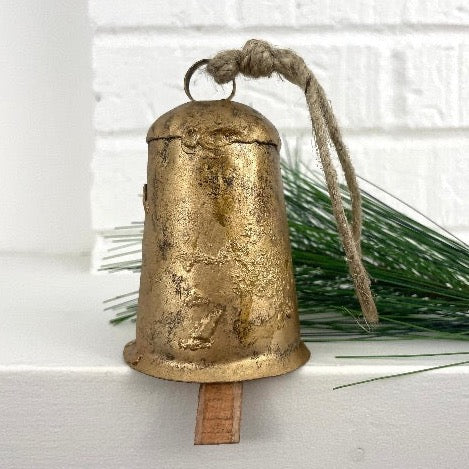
217,298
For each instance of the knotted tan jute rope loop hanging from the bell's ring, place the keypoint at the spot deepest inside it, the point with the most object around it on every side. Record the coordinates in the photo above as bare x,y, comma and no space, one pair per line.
259,59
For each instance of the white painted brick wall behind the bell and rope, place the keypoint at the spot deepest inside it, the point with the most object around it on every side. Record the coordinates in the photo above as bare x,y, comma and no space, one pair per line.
396,72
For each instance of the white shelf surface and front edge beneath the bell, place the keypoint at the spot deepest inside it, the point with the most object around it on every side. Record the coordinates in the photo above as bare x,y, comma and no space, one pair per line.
67,399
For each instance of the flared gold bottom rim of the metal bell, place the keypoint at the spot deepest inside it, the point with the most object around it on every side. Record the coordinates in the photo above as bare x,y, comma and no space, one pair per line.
247,369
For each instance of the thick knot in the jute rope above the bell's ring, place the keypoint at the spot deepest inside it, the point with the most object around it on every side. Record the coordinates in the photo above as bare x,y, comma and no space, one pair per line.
256,59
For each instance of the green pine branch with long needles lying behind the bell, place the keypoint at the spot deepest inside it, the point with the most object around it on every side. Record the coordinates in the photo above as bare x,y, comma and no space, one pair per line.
420,277
